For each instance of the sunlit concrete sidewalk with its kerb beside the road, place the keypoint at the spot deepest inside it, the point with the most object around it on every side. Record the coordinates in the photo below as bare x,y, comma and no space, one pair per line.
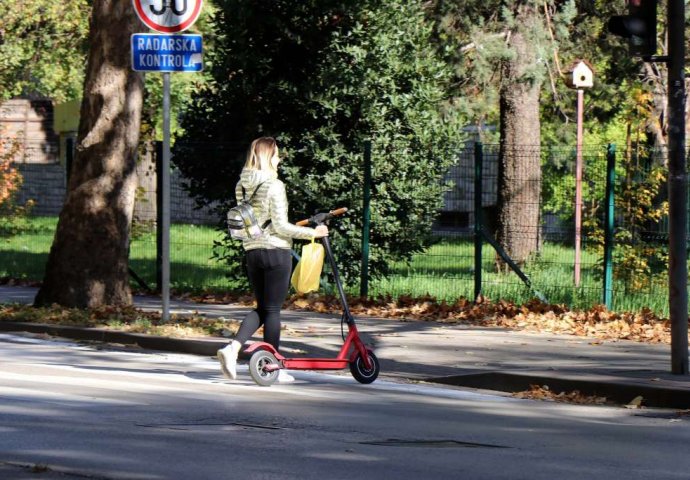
484,358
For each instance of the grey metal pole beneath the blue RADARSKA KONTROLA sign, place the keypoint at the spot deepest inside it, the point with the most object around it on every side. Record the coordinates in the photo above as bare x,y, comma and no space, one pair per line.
165,204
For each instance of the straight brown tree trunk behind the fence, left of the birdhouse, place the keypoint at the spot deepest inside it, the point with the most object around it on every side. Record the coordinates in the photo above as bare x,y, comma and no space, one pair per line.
519,175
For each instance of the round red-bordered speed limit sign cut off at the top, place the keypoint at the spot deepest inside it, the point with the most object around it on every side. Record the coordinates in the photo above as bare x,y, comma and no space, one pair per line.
168,16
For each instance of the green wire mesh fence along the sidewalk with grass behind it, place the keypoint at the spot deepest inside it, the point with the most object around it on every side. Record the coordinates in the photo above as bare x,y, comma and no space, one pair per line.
623,247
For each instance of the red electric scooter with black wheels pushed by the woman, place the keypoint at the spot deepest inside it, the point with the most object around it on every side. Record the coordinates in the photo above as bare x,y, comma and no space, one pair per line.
265,361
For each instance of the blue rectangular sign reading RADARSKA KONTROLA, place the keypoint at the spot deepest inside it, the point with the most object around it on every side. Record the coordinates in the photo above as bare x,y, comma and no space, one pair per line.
166,53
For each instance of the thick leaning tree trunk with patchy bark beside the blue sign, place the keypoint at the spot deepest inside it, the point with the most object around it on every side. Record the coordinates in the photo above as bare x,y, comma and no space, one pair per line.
88,261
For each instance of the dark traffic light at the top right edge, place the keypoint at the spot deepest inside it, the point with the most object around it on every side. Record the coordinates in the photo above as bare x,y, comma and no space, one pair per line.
639,27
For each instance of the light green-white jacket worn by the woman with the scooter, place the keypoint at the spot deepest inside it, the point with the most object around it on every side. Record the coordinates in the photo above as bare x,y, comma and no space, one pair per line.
270,202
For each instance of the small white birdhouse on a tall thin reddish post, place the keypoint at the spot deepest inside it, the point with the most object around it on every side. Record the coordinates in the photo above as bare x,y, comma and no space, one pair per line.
579,76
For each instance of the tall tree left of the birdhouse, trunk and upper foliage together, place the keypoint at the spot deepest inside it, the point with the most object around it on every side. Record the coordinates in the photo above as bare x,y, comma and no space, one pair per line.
502,64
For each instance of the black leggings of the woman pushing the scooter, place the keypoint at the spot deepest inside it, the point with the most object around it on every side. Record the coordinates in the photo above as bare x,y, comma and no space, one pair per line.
269,274
